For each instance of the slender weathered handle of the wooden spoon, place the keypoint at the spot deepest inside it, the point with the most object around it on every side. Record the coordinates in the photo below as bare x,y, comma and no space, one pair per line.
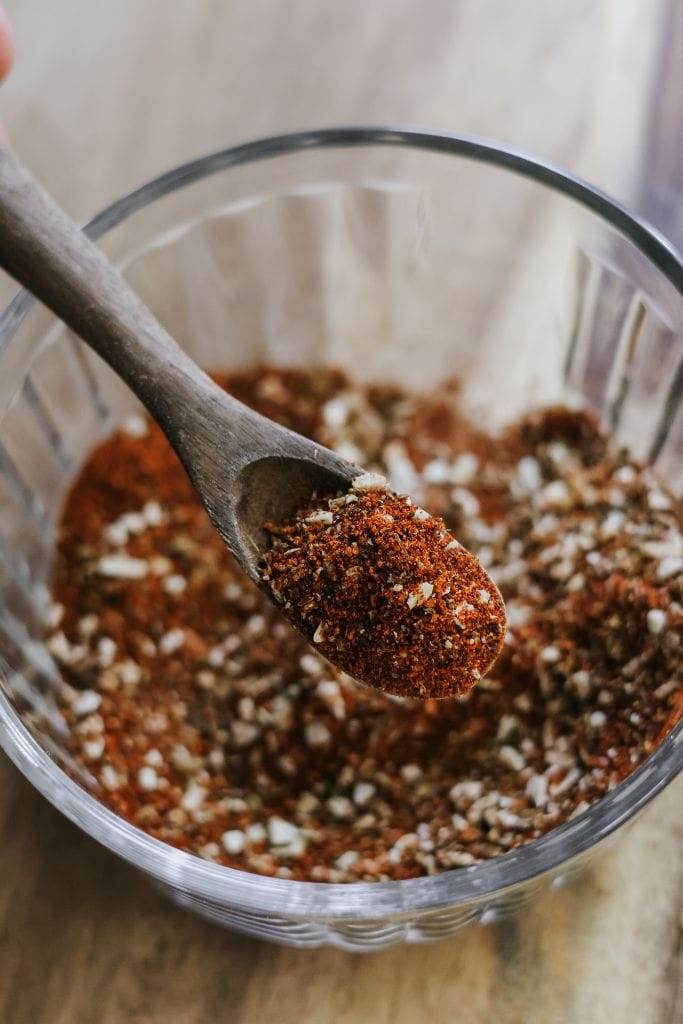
46,251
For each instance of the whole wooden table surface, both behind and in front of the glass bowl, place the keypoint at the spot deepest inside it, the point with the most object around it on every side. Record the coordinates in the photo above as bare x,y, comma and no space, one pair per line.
106,96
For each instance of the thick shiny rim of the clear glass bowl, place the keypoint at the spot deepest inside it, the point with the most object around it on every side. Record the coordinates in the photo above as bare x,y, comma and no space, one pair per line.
316,901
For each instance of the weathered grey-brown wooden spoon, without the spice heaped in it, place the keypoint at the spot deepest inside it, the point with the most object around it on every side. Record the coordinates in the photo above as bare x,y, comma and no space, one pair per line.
245,468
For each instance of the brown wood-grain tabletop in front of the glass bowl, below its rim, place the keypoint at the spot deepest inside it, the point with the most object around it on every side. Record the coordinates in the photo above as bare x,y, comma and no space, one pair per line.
86,941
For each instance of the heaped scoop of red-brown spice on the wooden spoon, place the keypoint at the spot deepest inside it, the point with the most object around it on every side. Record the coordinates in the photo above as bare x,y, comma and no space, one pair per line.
387,593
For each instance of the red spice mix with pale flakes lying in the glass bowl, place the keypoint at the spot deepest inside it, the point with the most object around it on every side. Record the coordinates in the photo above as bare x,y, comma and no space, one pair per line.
210,723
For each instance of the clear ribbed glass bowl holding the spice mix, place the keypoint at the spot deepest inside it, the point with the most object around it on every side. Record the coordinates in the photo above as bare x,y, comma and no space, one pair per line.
398,254
